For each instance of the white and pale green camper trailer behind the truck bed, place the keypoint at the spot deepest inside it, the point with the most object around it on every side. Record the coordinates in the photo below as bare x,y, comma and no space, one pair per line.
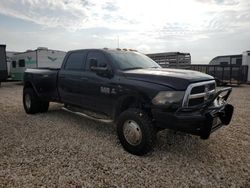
39,58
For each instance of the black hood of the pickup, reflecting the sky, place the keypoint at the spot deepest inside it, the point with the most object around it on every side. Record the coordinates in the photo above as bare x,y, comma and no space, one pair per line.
177,79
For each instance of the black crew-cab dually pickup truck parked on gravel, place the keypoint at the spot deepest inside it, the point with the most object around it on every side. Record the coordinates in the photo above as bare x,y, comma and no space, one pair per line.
133,91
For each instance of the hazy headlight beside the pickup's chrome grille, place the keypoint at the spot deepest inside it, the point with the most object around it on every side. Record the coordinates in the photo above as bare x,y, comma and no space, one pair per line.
168,97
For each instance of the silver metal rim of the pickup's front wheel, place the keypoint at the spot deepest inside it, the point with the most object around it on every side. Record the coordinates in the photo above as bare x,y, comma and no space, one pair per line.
132,132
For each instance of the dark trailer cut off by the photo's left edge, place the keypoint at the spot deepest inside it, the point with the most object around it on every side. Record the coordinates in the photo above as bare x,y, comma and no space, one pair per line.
3,64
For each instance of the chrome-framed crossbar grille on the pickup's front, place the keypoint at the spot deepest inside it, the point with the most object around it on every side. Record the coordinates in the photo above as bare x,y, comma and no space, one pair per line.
199,93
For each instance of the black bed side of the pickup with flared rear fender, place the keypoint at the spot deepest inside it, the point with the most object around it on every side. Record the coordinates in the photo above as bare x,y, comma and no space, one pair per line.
44,81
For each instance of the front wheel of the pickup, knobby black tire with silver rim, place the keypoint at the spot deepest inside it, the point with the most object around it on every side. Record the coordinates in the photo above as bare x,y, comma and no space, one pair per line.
136,132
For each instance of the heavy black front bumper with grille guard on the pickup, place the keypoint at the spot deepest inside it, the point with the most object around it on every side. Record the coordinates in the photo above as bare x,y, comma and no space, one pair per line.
200,120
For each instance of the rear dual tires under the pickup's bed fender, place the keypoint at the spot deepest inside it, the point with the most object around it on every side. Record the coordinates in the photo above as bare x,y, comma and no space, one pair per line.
31,102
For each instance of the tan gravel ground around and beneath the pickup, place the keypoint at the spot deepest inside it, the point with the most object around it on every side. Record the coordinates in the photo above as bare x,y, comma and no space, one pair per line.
59,149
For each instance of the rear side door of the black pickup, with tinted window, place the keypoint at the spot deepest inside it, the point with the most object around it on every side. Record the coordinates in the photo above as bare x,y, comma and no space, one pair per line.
70,78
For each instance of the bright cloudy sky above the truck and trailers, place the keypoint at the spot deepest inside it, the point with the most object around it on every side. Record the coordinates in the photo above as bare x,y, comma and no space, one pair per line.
204,28
